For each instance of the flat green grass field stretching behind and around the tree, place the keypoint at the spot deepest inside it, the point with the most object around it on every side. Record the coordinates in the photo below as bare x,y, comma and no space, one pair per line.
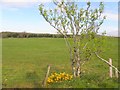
25,60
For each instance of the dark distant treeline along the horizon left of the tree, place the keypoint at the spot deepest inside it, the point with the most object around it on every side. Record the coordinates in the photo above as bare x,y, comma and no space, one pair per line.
28,35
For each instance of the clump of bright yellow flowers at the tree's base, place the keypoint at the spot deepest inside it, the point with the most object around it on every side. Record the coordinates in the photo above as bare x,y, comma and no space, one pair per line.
58,77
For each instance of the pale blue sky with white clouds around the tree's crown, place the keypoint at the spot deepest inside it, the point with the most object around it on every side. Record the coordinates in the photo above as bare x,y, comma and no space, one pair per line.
24,16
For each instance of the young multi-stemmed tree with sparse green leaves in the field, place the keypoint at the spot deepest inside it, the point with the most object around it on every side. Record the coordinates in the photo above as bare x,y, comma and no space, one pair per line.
82,24
